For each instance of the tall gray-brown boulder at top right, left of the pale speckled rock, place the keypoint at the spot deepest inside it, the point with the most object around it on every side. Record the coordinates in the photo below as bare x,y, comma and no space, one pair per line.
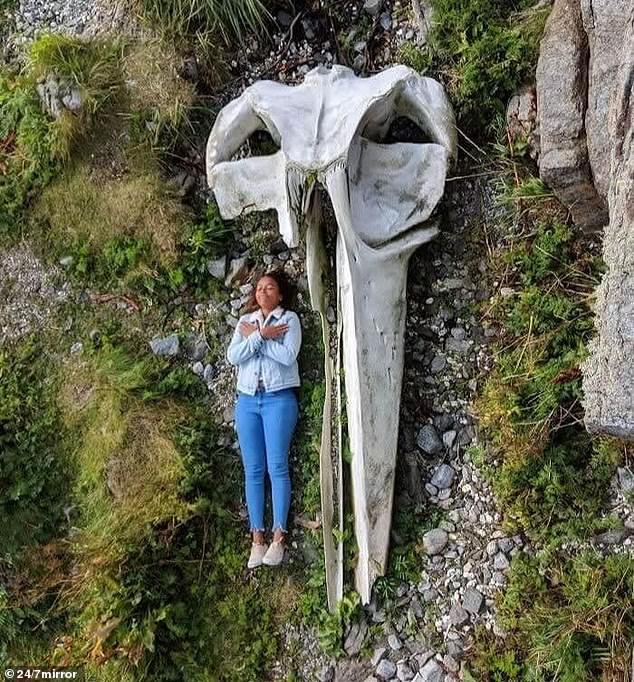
562,96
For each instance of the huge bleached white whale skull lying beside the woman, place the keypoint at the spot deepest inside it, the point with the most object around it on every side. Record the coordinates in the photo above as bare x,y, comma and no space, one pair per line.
331,130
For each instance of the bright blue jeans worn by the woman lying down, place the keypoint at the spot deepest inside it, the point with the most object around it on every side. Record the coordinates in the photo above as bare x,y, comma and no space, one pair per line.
265,423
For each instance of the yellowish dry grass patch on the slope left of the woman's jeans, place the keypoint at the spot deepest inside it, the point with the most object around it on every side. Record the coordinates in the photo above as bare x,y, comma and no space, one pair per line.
128,468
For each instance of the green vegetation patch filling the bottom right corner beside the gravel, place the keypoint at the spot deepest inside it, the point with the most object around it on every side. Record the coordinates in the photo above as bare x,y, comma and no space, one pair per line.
571,620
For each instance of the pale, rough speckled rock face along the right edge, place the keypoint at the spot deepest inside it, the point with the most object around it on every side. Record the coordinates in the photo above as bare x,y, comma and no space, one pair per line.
609,371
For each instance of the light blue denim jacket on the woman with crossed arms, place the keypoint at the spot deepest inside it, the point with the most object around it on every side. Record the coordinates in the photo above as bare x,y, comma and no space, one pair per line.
275,360
